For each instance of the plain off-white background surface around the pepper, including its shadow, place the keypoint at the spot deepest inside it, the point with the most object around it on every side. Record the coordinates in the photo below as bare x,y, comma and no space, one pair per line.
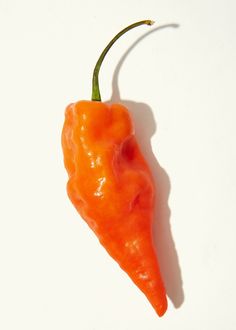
179,83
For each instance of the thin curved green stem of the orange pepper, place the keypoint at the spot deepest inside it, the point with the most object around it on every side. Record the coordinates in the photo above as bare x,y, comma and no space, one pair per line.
95,84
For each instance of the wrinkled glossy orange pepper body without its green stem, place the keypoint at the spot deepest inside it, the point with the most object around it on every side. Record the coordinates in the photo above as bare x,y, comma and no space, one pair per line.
111,186
